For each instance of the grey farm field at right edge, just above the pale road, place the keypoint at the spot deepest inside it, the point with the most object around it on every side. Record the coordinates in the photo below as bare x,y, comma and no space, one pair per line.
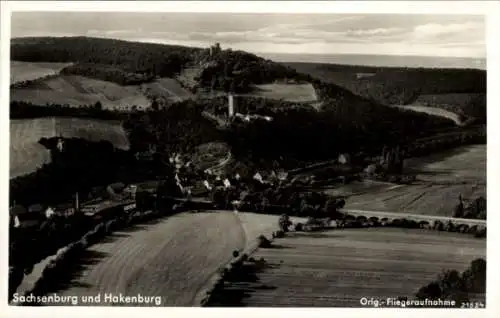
442,178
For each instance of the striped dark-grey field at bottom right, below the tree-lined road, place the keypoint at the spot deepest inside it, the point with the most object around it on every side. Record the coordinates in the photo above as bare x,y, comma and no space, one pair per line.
338,268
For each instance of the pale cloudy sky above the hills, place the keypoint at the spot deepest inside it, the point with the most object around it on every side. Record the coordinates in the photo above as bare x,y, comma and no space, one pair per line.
384,34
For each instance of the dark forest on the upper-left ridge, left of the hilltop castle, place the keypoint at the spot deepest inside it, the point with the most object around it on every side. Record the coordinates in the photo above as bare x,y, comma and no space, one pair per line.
132,57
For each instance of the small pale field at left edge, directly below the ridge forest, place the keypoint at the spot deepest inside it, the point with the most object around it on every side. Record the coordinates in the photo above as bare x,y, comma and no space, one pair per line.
27,71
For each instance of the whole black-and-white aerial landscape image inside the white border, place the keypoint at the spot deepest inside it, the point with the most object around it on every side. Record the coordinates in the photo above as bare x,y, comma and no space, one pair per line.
233,159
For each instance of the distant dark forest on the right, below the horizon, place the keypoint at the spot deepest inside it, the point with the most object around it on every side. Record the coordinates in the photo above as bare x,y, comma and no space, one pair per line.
401,86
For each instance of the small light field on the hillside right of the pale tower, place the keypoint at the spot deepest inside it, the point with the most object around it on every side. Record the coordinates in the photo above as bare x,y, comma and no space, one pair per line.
288,92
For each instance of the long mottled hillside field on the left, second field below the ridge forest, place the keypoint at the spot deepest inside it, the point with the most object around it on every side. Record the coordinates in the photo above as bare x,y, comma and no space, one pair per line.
78,91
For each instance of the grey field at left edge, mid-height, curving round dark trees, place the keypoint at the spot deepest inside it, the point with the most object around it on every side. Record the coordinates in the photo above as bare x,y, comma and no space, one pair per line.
26,154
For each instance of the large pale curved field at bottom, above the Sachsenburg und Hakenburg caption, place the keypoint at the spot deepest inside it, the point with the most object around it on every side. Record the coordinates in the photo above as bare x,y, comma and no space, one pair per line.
174,258
